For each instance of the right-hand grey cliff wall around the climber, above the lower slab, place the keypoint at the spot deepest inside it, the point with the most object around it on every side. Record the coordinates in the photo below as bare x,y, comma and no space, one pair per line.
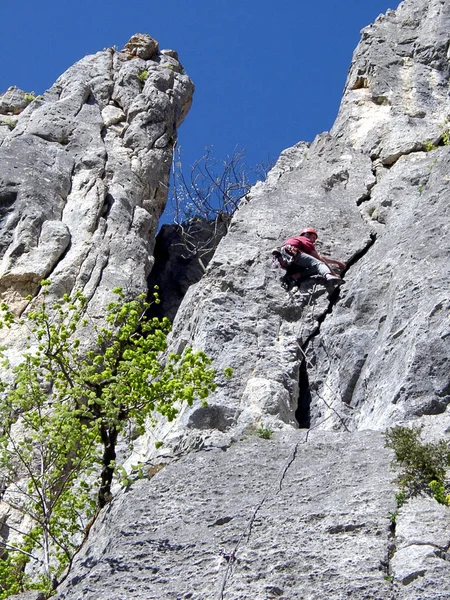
377,352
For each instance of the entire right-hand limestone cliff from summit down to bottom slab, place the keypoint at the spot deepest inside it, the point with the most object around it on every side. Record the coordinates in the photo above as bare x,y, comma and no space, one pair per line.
306,514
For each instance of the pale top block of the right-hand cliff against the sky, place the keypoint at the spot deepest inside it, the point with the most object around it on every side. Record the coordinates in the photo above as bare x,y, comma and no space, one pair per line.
396,91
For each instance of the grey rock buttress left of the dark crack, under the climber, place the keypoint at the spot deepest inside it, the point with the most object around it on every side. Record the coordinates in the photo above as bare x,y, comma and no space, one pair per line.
239,313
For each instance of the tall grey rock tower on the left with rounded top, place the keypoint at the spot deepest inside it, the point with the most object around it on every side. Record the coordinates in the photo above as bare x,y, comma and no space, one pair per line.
84,173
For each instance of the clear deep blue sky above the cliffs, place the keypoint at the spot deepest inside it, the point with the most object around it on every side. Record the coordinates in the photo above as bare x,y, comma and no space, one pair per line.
267,73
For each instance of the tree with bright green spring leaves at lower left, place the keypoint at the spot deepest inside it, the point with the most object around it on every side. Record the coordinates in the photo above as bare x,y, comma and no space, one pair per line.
62,412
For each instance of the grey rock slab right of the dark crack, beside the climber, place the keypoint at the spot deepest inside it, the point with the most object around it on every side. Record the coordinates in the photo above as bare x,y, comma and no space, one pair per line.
385,352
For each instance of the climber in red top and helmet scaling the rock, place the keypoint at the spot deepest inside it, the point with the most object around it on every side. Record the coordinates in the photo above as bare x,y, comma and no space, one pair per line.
305,256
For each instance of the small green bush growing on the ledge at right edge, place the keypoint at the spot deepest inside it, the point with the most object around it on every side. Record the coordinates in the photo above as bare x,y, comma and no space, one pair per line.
421,463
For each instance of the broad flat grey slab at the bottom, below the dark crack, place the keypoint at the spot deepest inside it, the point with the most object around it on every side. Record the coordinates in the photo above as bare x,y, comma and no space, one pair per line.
305,517
